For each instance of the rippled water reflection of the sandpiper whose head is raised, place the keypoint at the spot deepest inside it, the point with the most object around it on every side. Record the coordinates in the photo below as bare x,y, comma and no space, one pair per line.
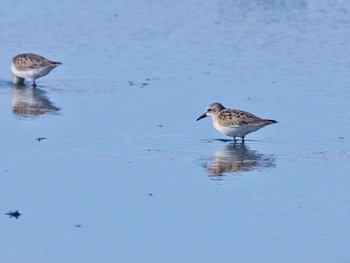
236,158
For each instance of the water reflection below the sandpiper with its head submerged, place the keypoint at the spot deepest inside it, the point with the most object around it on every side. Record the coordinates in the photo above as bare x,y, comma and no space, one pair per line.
30,102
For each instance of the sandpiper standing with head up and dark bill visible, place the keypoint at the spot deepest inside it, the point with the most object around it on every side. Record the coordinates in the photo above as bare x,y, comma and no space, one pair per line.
234,123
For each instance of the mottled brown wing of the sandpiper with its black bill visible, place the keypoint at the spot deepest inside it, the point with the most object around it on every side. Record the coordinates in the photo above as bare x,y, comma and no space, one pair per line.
232,117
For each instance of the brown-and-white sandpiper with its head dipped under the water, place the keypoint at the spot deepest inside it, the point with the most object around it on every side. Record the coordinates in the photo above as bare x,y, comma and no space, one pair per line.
30,66
